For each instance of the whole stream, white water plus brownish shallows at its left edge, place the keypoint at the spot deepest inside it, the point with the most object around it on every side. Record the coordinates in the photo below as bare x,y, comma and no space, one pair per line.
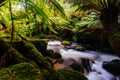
93,59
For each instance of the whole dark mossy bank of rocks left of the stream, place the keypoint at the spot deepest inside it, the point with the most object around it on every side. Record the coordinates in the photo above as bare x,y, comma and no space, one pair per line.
25,60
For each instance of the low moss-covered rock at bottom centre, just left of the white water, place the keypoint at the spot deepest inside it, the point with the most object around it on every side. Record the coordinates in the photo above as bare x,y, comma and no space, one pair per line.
71,75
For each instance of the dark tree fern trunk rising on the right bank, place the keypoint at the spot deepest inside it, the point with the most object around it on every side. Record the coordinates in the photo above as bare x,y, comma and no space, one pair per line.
112,29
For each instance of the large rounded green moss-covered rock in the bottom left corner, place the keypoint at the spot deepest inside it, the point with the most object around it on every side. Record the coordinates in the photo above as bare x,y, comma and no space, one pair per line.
22,71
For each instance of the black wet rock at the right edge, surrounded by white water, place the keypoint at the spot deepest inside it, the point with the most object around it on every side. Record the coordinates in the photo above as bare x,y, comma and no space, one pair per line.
112,66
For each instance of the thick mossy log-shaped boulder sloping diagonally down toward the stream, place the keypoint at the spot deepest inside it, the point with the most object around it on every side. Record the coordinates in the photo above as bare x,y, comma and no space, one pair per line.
30,52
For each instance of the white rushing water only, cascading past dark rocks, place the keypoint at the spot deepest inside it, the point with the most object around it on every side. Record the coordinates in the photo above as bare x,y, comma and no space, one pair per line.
97,73
